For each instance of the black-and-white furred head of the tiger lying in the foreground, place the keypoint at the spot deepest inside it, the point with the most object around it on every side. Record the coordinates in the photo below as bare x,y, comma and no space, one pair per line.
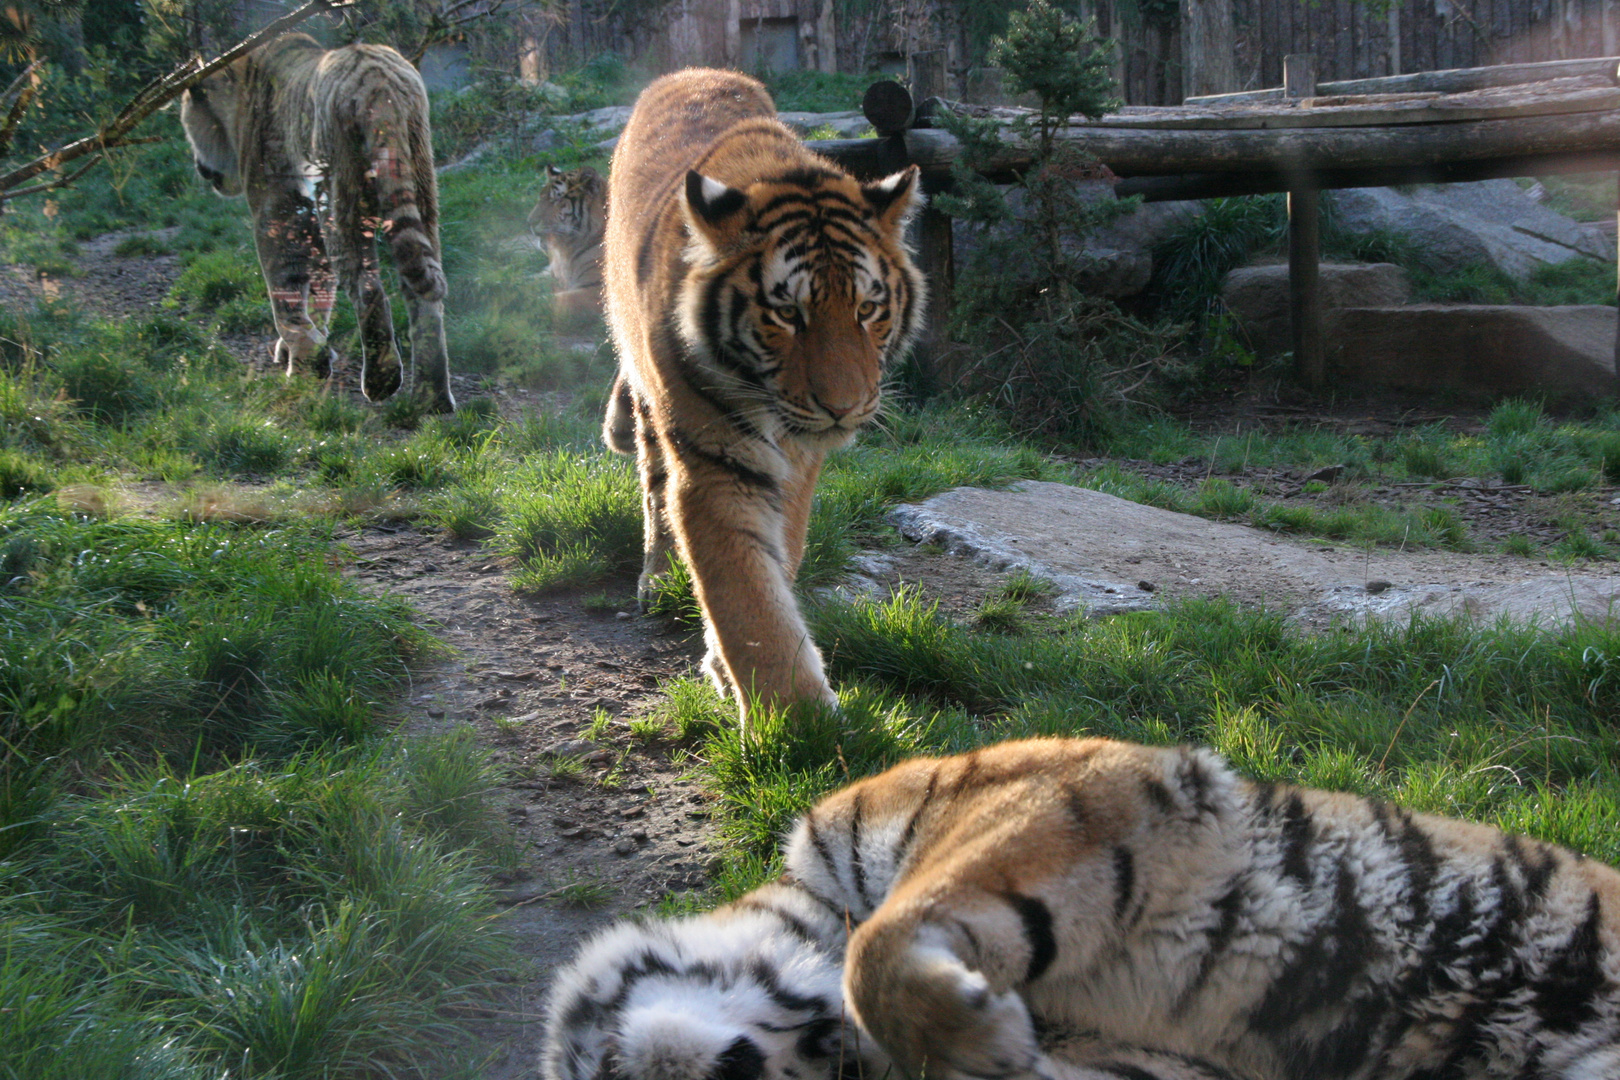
735,995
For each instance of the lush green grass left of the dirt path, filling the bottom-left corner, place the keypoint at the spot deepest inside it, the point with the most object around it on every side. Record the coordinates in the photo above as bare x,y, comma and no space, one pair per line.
250,874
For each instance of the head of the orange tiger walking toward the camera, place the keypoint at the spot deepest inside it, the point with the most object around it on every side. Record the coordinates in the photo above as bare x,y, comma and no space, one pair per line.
799,291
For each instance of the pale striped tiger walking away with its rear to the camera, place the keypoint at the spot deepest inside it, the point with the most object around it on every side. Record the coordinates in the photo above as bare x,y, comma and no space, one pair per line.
333,150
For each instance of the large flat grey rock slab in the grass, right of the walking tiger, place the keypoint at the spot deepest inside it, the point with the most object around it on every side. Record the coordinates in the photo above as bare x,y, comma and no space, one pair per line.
1101,550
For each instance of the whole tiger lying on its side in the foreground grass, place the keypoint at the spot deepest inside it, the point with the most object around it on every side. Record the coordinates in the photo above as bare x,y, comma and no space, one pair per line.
1089,909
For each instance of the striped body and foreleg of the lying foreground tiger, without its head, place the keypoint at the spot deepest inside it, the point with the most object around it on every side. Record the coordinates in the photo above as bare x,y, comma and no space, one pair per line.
1156,898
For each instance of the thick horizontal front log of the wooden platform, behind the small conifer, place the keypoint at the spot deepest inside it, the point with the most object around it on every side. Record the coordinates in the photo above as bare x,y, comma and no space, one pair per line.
1300,151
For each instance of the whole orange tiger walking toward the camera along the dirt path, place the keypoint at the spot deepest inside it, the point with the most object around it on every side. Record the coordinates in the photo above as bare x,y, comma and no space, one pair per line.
756,294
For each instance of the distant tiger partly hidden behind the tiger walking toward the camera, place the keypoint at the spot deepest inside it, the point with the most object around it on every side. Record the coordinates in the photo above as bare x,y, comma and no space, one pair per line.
571,218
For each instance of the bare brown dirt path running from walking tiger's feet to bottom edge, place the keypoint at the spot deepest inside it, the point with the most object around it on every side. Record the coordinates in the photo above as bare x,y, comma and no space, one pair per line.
532,676
